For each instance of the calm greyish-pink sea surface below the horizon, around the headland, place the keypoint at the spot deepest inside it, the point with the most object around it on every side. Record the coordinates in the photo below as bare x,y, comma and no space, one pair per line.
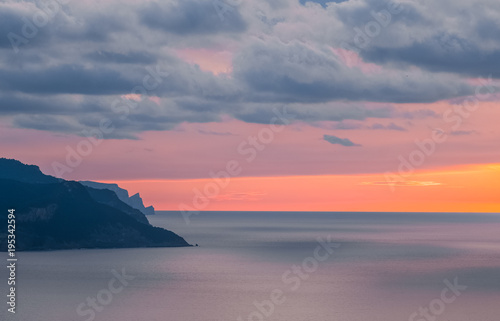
381,266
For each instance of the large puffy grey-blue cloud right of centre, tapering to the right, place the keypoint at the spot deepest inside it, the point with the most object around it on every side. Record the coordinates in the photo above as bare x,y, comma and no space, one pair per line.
294,71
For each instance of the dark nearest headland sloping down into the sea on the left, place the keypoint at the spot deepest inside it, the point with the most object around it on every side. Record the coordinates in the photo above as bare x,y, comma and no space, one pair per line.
55,214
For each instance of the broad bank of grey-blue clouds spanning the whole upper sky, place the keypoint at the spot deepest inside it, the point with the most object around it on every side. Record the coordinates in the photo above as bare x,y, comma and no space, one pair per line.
285,53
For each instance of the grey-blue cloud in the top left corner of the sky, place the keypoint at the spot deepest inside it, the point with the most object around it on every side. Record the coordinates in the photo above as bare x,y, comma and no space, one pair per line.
46,26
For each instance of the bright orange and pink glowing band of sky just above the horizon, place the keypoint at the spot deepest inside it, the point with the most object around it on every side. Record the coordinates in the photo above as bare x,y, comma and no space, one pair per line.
471,188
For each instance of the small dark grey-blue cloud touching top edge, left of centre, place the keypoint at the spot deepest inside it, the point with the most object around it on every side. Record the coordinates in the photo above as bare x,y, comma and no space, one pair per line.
185,17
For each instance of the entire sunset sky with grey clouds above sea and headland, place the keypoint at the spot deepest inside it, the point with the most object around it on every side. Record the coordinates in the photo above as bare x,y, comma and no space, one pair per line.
353,105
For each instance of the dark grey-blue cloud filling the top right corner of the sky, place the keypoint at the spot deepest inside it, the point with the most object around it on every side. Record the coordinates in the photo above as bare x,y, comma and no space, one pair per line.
433,41
